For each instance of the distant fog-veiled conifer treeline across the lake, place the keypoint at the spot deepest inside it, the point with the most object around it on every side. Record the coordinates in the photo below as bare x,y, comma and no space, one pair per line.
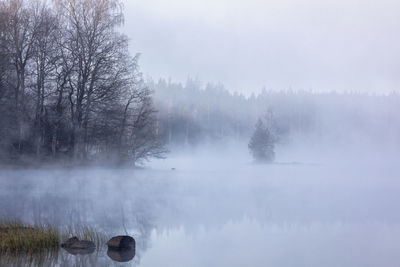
192,113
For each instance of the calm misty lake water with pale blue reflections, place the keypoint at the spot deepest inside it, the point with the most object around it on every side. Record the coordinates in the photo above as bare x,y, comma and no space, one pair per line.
220,208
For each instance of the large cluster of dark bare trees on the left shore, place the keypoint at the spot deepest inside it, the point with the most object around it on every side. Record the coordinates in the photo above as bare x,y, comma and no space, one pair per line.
68,87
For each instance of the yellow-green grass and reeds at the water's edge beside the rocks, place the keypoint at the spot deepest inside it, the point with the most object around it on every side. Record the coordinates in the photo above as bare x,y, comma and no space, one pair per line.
17,237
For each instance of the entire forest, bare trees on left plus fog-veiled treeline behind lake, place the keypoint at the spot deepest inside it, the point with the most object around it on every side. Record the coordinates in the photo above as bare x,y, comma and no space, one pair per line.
71,92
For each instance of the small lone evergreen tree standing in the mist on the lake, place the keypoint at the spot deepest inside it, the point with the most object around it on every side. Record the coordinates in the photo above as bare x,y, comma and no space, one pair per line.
262,143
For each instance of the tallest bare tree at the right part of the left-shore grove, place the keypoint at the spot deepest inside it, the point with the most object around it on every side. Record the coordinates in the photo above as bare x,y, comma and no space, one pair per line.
94,43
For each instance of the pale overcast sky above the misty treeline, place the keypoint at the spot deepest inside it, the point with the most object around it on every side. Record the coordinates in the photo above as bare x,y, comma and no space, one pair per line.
280,44
